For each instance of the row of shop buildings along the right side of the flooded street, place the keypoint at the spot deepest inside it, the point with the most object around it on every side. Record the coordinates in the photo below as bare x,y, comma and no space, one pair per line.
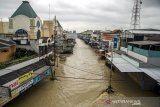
135,53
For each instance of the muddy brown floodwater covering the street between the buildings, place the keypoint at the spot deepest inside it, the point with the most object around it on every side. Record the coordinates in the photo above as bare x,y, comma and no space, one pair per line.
82,79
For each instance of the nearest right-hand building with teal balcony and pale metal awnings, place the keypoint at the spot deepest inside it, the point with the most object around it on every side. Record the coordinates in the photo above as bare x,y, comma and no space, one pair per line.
141,61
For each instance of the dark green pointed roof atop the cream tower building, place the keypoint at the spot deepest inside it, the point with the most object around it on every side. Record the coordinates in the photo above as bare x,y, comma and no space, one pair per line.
25,9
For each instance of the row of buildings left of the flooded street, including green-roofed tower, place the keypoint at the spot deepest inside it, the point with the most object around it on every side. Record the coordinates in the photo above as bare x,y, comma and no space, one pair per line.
28,40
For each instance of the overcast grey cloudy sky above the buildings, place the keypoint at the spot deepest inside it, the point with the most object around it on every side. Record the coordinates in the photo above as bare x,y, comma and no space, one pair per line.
89,14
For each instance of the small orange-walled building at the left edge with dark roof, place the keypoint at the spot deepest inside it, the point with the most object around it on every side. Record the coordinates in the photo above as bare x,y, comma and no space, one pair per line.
7,49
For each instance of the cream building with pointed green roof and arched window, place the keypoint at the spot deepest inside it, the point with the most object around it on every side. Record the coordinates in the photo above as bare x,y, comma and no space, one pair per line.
25,25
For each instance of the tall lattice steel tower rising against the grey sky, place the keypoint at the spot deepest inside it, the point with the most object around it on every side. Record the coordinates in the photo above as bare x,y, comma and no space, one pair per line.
135,19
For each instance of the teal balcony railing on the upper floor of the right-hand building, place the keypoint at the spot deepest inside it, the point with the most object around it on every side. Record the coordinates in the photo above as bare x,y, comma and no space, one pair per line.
147,53
